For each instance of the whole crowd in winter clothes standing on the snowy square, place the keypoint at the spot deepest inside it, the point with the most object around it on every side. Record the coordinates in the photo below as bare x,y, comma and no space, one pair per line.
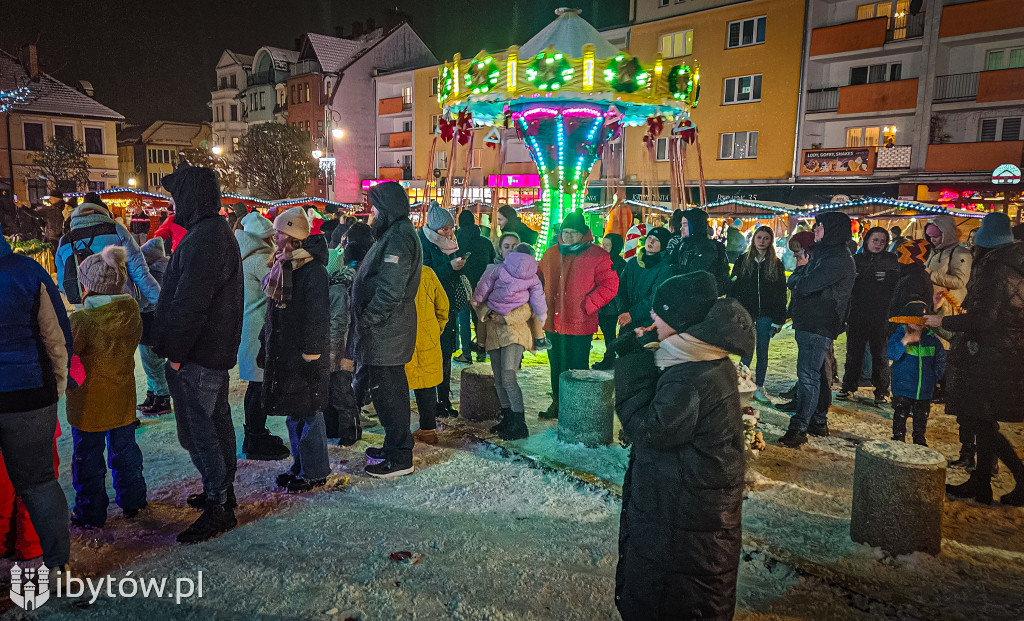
325,316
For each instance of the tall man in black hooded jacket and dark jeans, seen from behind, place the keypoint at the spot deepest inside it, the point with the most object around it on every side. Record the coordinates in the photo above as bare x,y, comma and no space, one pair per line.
199,328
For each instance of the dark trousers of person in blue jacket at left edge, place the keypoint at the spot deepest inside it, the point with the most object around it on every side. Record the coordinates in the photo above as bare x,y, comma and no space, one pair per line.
27,443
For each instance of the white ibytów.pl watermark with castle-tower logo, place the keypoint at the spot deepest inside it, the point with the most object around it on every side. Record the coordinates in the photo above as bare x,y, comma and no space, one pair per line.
32,588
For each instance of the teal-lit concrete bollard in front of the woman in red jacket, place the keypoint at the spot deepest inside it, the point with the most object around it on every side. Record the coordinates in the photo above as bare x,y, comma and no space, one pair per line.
586,407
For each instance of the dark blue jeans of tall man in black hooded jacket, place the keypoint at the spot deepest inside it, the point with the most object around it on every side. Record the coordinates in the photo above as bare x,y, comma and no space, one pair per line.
205,429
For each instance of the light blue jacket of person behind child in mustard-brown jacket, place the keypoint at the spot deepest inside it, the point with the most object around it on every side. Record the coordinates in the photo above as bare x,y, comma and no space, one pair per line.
146,288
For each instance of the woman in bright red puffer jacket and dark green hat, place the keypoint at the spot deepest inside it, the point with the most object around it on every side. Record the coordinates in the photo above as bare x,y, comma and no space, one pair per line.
578,281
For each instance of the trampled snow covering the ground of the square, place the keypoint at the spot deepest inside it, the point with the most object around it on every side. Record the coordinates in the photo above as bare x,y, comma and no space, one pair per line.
496,536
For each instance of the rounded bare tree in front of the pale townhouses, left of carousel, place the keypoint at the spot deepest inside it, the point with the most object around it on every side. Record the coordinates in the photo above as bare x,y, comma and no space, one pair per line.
276,160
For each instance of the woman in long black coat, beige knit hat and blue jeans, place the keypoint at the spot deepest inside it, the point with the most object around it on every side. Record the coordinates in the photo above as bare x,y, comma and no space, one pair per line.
295,344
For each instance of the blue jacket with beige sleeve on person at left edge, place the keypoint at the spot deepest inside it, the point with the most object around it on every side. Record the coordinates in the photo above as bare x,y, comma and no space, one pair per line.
35,336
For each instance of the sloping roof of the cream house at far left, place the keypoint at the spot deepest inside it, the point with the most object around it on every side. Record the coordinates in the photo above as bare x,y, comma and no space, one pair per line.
49,96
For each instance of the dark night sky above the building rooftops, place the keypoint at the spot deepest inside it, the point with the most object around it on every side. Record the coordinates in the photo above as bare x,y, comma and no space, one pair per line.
151,60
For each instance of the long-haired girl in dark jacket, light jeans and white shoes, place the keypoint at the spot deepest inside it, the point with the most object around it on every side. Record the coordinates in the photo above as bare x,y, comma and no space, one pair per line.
759,284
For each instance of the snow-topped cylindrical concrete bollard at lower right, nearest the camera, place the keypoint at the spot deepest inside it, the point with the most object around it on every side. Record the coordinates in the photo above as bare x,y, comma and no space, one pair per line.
899,490
